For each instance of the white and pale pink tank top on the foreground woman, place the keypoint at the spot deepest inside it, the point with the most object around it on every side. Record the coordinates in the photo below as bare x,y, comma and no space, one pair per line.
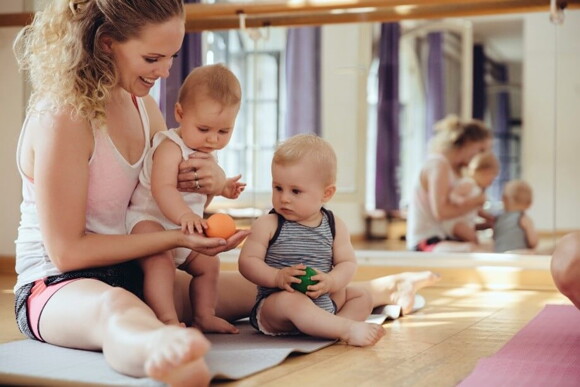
111,183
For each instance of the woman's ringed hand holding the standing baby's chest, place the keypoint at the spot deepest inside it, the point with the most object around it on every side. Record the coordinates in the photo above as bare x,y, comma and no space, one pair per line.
201,173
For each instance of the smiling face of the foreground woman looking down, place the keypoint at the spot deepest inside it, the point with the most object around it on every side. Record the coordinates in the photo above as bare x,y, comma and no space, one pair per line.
143,60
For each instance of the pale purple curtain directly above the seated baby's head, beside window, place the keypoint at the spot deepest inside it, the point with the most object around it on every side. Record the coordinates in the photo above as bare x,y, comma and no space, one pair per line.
303,81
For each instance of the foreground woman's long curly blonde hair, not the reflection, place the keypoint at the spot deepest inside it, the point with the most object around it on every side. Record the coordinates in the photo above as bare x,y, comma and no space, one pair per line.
61,52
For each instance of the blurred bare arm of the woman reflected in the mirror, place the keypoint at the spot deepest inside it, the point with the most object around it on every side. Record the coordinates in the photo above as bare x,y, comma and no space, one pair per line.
435,180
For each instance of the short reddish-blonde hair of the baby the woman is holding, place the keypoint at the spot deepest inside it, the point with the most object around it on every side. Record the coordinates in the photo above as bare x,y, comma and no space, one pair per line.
215,81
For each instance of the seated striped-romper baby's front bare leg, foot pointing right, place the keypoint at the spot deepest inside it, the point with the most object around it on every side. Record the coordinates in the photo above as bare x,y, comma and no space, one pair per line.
285,311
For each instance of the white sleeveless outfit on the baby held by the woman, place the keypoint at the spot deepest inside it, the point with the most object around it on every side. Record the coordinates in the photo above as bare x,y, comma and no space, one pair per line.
143,205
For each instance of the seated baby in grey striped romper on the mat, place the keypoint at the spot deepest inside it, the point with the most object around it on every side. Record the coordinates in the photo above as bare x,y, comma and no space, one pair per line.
300,232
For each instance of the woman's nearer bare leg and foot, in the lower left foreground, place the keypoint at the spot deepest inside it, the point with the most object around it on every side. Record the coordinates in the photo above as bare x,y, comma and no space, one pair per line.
89,314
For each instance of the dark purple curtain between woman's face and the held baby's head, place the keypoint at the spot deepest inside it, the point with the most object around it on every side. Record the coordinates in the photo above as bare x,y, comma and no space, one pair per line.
189,57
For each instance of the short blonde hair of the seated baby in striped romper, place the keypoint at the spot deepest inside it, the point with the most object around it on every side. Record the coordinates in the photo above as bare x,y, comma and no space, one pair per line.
318,151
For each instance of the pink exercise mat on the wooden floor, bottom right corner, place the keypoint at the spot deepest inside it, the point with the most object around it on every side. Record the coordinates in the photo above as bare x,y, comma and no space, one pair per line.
546,352
